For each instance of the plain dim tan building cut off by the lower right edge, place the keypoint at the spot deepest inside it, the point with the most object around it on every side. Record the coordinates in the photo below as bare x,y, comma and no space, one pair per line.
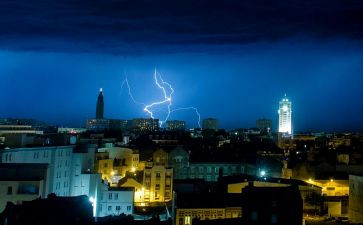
355,199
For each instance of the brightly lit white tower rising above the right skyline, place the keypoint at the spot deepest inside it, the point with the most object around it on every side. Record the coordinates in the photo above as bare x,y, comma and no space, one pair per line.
285,111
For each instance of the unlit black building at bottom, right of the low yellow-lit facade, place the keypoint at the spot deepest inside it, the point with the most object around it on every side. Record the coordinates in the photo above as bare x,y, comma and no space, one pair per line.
272,205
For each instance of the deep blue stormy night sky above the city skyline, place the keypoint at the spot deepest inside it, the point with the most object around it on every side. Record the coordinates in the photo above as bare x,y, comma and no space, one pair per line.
233,60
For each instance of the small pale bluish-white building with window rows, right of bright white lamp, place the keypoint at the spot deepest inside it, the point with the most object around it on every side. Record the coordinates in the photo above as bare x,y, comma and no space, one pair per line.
116,201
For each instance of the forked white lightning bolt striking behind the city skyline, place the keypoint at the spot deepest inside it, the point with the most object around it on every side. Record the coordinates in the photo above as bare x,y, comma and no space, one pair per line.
168,92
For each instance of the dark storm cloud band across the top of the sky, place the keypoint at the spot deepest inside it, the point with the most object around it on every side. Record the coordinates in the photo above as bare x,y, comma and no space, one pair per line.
131,25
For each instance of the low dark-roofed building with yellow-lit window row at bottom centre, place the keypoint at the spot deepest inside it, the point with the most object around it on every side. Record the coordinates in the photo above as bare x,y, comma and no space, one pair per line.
206,206
